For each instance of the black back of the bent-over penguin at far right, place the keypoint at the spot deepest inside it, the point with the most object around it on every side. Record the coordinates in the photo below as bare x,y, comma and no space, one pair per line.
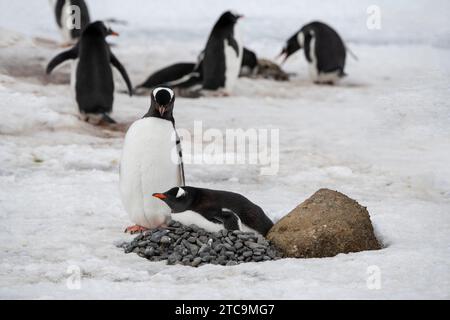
330,49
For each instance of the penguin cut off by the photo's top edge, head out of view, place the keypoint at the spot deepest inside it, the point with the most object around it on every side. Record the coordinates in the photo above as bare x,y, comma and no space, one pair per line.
66,19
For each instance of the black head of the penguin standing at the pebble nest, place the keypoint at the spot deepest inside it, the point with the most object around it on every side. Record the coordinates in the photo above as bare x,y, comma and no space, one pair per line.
162,103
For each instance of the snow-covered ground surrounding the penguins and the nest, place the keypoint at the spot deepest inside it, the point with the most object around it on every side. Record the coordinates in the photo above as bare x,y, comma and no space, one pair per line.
382,137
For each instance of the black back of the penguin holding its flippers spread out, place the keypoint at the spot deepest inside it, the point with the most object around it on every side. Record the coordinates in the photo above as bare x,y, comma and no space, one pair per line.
94,78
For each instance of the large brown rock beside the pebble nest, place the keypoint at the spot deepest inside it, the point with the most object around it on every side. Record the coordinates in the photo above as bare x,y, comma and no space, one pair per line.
326,224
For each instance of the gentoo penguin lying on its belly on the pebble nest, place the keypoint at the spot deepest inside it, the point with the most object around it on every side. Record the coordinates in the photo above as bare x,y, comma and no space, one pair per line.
214,210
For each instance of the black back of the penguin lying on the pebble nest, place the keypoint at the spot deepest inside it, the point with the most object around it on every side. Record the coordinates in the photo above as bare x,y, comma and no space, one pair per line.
208,202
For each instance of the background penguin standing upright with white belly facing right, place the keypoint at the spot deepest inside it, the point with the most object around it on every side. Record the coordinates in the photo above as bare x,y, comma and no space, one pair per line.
223,55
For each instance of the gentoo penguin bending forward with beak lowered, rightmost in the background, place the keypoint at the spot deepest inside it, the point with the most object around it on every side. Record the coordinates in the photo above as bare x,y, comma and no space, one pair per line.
324,50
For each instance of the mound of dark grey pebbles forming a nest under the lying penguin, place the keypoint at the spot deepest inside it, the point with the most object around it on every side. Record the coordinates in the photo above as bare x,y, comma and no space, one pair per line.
193,246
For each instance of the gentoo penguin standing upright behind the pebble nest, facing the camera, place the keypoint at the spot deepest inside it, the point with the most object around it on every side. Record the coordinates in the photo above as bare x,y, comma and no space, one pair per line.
151,161
